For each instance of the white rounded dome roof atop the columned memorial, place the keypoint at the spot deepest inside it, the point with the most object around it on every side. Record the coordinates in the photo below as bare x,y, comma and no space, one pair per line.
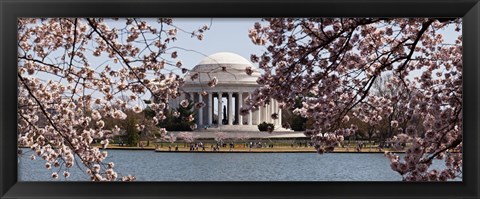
228,68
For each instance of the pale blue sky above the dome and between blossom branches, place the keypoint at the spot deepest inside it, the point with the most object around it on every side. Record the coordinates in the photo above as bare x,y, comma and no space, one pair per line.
223,35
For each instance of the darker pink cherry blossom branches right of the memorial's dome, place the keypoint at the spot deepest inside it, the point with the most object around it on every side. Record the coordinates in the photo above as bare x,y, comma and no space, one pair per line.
339,59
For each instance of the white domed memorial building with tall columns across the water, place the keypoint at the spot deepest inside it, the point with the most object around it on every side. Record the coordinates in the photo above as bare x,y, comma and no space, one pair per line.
224,100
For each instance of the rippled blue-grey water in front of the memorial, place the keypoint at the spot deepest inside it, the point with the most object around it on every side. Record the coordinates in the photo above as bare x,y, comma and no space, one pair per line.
152,166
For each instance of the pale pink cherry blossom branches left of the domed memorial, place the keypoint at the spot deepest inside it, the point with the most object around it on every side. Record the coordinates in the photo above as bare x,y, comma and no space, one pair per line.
73,73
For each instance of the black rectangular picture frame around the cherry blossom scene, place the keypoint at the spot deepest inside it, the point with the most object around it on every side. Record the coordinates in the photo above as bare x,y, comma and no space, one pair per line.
11,9
